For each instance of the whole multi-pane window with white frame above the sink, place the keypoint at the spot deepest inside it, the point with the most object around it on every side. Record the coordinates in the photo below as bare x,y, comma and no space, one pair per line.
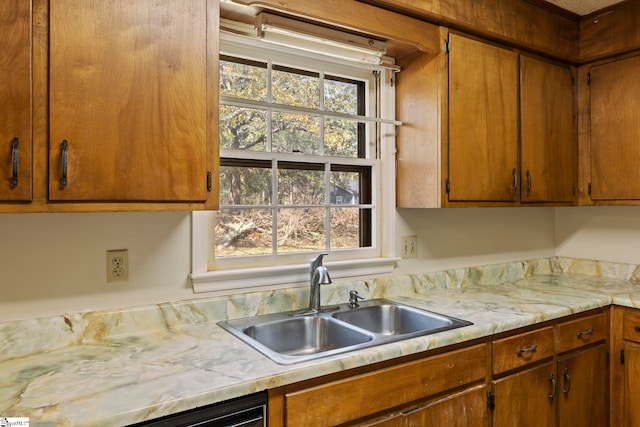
300,165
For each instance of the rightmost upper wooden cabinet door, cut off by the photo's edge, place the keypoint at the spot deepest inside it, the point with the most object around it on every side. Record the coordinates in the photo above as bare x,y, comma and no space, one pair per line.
615,130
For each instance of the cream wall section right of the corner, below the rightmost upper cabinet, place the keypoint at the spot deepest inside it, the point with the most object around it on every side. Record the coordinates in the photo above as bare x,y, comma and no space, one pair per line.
607,233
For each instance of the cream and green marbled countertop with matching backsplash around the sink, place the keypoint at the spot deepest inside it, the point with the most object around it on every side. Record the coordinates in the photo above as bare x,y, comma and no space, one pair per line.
123,366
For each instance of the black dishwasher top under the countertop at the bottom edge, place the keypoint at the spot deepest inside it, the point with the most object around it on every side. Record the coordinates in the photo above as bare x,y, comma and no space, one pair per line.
246,411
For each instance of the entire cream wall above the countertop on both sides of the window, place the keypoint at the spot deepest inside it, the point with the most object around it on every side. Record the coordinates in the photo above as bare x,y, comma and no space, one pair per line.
55,263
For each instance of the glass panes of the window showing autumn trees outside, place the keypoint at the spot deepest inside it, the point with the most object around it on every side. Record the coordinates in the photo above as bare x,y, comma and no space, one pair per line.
302,217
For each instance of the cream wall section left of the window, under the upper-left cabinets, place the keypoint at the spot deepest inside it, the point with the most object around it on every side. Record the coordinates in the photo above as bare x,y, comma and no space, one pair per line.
56,263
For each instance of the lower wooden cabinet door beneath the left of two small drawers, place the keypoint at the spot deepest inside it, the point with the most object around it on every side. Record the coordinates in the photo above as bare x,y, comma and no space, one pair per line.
526,398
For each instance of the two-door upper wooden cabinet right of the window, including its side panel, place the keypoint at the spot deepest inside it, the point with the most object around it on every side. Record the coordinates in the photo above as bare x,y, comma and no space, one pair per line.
485,126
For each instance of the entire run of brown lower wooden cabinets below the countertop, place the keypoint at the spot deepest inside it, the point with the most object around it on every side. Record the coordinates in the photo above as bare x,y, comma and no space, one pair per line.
556,375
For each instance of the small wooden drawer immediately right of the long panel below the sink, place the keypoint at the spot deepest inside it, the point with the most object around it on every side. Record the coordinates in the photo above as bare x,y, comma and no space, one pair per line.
520,350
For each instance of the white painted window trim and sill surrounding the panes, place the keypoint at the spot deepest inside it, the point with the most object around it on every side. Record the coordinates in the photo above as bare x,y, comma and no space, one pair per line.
379,261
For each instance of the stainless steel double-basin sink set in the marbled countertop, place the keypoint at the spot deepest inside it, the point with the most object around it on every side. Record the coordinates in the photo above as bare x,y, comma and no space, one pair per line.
291,337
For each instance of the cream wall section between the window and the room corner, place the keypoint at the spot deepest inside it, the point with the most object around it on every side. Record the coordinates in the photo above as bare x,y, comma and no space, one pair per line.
450,238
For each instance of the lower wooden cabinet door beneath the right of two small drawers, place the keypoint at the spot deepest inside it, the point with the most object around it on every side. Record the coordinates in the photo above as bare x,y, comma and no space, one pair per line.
583,388
